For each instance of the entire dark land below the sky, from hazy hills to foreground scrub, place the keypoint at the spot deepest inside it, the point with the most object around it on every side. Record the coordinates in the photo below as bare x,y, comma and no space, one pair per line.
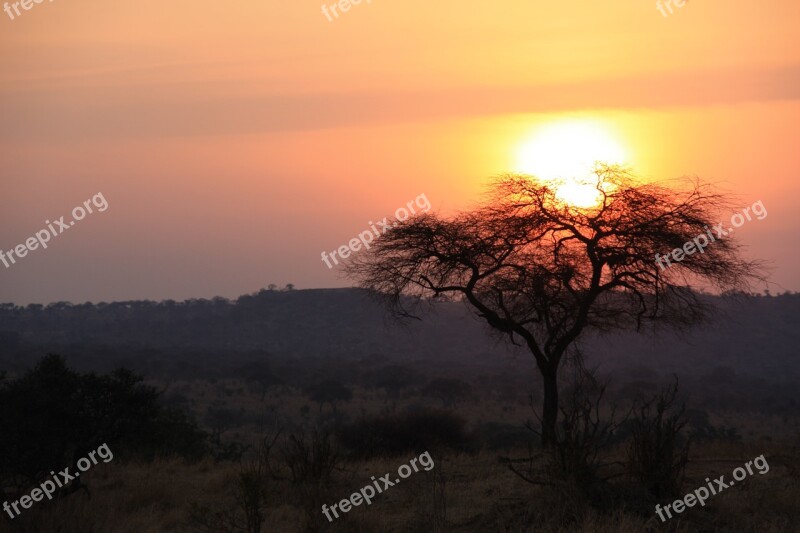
238,439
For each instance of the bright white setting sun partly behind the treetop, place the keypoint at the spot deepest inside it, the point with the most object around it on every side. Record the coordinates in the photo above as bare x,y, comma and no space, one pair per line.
565,152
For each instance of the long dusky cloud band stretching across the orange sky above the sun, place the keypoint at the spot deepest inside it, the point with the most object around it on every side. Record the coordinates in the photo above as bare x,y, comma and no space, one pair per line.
152,109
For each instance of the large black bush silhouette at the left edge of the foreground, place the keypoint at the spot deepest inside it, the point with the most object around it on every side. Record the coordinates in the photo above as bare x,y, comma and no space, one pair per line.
52,416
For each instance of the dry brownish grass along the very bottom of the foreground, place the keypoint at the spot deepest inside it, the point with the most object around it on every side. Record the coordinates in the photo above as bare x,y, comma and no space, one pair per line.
481,495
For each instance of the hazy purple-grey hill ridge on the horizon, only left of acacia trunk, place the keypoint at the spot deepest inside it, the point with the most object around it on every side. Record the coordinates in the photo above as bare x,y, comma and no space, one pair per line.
323,322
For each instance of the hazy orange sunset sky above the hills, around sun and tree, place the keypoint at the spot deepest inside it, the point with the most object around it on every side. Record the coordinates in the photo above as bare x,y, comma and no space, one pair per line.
235,141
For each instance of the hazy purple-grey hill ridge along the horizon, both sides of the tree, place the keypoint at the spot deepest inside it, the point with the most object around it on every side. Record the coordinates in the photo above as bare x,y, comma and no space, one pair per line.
756,337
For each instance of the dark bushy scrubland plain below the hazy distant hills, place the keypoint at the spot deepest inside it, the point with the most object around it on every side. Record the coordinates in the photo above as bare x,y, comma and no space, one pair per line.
270,455
